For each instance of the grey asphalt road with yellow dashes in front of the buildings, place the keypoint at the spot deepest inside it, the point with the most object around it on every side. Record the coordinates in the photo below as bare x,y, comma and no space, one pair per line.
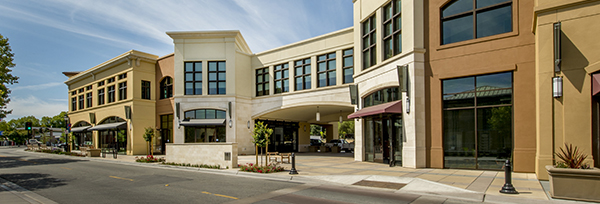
65,179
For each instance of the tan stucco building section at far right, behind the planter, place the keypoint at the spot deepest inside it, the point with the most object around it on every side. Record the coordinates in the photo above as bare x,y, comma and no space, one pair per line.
573,116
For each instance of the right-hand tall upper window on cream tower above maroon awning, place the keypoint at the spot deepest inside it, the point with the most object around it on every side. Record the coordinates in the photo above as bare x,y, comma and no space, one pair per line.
392,29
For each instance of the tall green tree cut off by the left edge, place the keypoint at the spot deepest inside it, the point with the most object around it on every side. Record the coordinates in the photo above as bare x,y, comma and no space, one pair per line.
6,78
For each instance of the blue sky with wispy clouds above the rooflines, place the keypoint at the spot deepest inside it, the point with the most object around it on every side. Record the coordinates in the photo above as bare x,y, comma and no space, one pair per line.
53,36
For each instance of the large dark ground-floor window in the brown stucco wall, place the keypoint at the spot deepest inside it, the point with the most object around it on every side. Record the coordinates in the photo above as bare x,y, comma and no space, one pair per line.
477,118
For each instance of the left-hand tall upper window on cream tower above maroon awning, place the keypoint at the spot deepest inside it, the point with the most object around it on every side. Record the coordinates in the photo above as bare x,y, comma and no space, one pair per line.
369,42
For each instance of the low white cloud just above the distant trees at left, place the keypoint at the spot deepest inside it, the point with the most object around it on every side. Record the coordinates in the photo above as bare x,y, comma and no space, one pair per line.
31,105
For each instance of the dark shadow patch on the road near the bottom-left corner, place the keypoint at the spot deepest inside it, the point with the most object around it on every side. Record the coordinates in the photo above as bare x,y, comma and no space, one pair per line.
33,181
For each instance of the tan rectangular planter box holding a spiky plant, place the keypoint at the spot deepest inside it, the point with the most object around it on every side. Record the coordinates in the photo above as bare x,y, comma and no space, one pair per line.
575,184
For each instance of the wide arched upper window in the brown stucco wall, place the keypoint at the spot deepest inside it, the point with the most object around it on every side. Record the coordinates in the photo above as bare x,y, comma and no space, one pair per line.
469,19
